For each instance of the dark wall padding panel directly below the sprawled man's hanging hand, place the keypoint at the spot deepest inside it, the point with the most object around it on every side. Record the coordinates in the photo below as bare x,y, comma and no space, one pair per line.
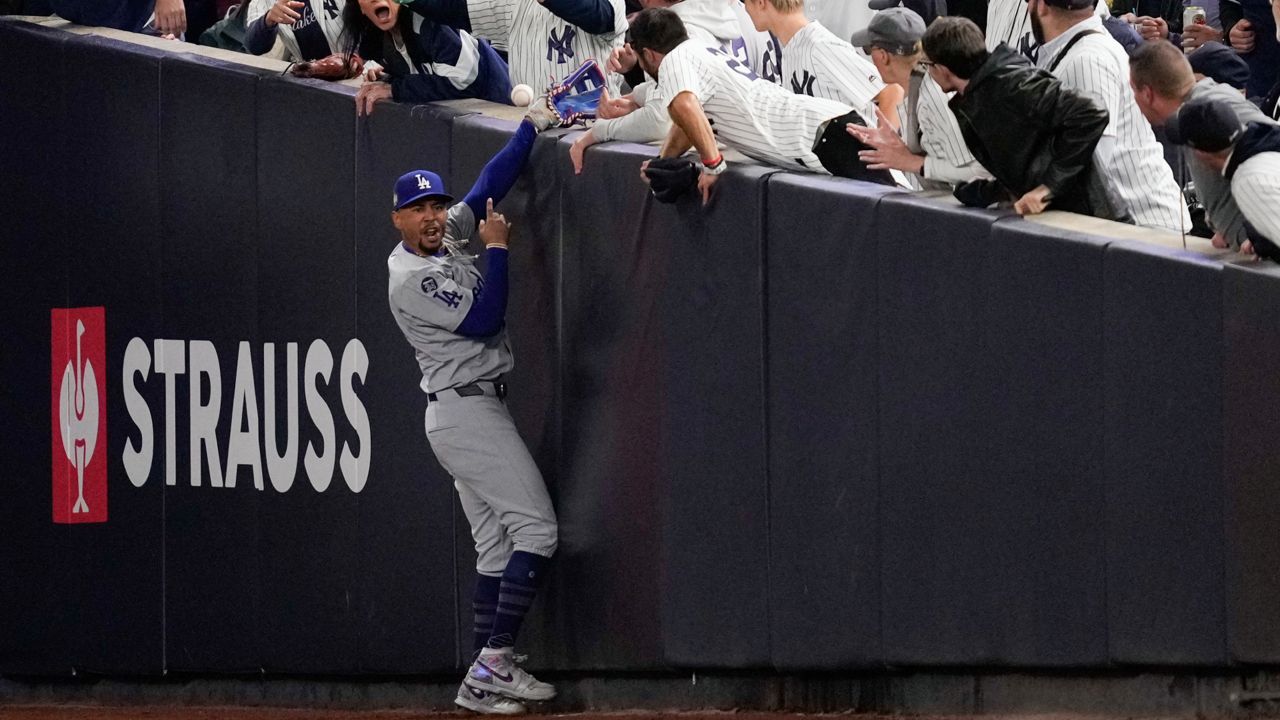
714,423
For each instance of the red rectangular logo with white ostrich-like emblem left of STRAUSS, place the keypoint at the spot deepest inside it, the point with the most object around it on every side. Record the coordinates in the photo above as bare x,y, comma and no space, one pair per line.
79,344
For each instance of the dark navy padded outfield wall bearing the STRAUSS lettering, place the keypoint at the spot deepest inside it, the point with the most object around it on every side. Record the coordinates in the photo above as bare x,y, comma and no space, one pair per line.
819,426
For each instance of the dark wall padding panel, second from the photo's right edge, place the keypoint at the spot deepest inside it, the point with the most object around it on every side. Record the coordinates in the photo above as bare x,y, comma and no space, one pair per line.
1164,457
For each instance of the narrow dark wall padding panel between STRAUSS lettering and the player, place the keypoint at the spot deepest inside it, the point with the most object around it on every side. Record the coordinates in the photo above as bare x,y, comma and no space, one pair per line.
406,618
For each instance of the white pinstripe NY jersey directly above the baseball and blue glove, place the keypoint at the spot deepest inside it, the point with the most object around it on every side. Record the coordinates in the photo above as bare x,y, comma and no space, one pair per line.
545,49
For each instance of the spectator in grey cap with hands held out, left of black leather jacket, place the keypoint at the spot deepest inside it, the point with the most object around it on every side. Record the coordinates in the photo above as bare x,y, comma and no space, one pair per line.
930,143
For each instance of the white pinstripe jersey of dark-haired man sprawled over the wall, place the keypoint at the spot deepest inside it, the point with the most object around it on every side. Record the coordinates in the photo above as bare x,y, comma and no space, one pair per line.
756,117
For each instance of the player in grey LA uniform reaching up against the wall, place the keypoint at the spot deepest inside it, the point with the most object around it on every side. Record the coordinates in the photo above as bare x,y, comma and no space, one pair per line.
454,318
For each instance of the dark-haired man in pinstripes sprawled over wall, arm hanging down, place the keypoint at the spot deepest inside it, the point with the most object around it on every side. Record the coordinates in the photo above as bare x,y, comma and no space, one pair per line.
702,86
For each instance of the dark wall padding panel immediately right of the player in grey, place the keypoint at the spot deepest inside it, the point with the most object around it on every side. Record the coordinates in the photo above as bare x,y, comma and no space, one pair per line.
615,471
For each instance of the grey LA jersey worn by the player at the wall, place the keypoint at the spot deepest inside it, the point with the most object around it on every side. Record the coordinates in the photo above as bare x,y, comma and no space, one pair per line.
431,298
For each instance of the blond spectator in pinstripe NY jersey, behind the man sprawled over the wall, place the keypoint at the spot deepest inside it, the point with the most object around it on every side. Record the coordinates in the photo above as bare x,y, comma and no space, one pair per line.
817,63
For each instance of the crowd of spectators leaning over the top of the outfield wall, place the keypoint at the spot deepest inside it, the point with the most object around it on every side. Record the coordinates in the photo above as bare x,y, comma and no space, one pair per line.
1126,110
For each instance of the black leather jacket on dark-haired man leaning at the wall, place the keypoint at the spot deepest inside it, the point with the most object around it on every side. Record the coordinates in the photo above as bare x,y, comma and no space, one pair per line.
1028,130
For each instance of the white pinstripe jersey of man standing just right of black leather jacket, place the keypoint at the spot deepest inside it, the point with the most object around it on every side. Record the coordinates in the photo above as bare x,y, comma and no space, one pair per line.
1128,156
